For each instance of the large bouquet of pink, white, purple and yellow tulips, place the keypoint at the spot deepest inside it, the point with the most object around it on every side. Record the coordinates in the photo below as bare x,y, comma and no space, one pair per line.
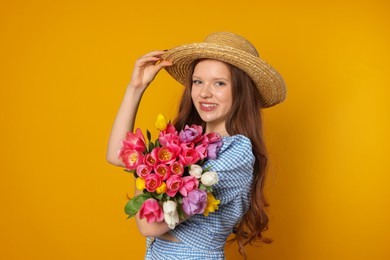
169,172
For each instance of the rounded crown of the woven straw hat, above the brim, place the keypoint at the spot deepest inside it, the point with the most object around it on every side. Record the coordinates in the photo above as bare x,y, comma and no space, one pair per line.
232,40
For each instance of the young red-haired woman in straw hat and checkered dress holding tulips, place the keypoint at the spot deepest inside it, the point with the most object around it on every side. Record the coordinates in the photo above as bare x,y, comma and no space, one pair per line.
226,85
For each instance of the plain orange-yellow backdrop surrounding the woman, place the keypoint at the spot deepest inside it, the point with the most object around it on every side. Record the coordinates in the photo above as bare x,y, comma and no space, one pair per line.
64,67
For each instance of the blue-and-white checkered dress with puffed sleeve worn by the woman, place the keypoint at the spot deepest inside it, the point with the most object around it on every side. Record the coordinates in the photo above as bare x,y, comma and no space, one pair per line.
205,237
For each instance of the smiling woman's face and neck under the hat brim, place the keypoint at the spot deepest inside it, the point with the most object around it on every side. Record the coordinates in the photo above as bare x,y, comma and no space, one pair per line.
212,93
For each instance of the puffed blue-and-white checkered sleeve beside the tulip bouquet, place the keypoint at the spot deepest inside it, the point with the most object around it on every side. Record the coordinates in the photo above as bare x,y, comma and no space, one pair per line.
234,166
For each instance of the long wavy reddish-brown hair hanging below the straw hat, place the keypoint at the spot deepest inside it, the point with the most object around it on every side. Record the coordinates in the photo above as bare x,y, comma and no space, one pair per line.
244,118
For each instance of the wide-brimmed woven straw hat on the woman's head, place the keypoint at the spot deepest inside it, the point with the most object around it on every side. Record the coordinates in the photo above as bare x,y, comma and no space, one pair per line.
233,49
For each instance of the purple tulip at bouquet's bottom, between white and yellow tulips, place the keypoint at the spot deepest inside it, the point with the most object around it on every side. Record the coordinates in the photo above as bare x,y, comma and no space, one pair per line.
195,202
